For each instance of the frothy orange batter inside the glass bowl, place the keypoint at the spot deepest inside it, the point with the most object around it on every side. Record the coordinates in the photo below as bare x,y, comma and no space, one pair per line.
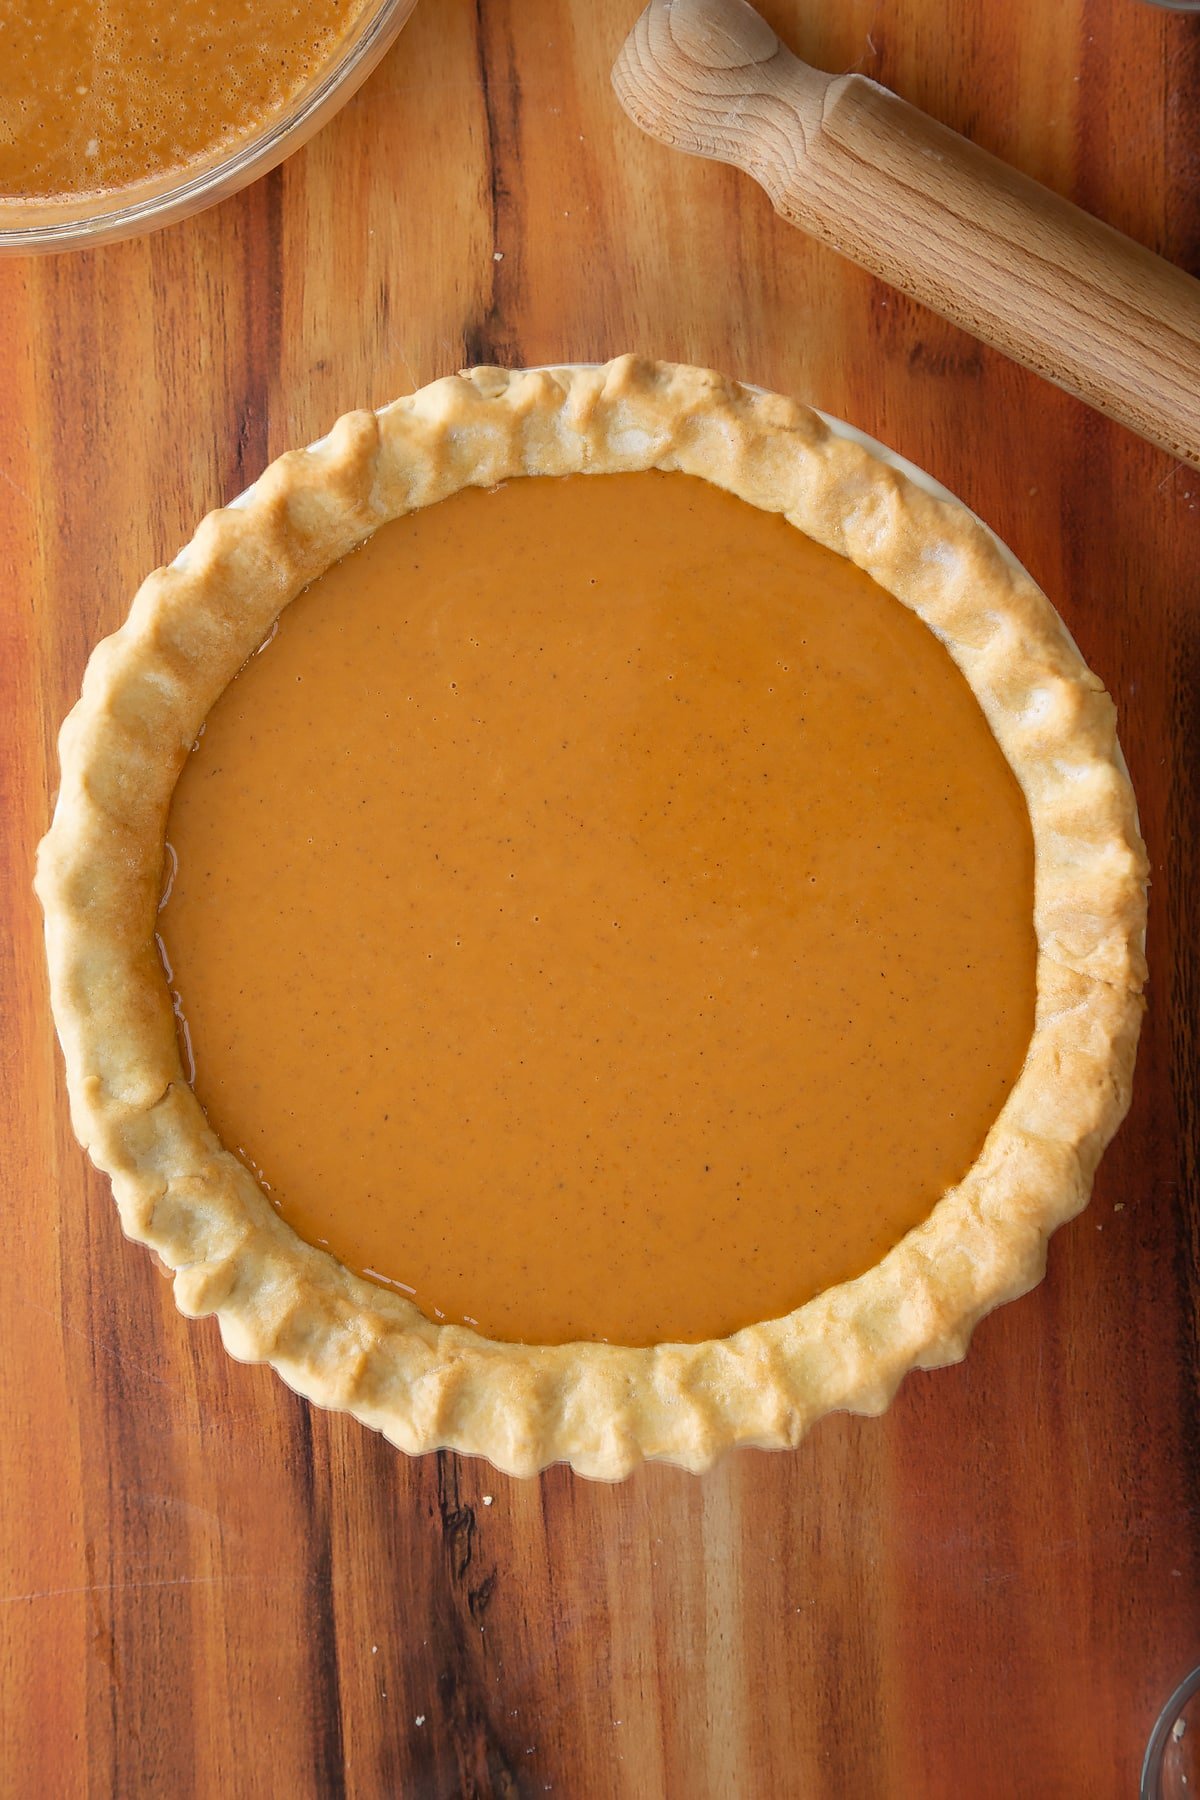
102,94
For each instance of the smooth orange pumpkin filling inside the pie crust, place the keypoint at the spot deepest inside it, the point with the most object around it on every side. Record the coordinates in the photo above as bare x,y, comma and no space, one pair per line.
602,913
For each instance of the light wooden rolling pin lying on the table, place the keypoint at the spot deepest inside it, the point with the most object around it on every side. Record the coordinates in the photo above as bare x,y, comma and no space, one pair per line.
927,211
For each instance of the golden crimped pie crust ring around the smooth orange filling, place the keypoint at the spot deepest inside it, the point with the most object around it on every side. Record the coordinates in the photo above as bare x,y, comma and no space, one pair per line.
343,1340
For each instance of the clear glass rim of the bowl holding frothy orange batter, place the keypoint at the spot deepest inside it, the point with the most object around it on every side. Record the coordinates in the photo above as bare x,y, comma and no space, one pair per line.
84,220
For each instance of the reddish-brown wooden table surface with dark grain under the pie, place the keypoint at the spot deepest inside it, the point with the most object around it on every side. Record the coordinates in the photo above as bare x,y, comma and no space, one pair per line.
211,1588
